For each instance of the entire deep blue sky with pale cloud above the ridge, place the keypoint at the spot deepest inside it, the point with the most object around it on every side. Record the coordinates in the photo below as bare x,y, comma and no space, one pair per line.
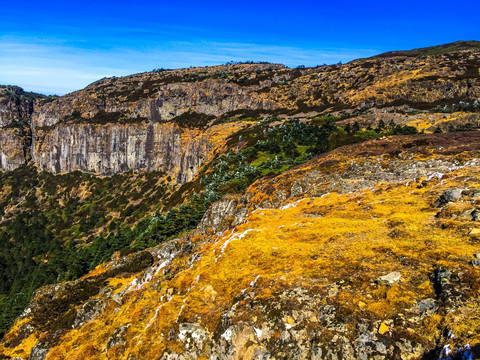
61,46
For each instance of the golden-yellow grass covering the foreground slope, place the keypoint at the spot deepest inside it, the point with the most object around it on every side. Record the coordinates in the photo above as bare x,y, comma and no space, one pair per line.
315,243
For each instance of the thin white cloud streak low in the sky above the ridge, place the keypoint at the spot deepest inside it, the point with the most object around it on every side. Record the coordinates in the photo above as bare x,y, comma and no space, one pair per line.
53,68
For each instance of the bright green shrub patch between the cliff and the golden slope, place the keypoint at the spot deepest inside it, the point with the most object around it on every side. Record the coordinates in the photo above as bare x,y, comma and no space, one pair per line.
277,145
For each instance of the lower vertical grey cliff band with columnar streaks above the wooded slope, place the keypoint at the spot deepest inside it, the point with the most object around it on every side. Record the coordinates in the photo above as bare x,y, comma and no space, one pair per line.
116,148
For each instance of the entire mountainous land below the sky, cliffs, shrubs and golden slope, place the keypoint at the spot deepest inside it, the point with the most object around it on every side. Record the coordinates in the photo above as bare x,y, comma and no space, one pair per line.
246,211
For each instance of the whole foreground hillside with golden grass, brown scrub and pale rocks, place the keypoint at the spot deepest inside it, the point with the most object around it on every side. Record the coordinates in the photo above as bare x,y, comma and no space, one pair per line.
384,270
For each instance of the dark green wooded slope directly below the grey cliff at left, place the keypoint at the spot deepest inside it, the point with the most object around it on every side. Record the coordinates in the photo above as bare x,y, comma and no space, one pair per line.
49,226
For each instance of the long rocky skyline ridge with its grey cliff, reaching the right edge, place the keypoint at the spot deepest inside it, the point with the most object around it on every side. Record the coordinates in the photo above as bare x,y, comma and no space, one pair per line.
145,101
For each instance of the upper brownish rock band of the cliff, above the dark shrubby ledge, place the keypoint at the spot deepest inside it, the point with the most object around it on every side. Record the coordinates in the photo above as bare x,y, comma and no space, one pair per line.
162,96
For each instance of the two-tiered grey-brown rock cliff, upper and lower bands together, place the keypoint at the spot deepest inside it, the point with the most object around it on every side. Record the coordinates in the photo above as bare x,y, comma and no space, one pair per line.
152,121
